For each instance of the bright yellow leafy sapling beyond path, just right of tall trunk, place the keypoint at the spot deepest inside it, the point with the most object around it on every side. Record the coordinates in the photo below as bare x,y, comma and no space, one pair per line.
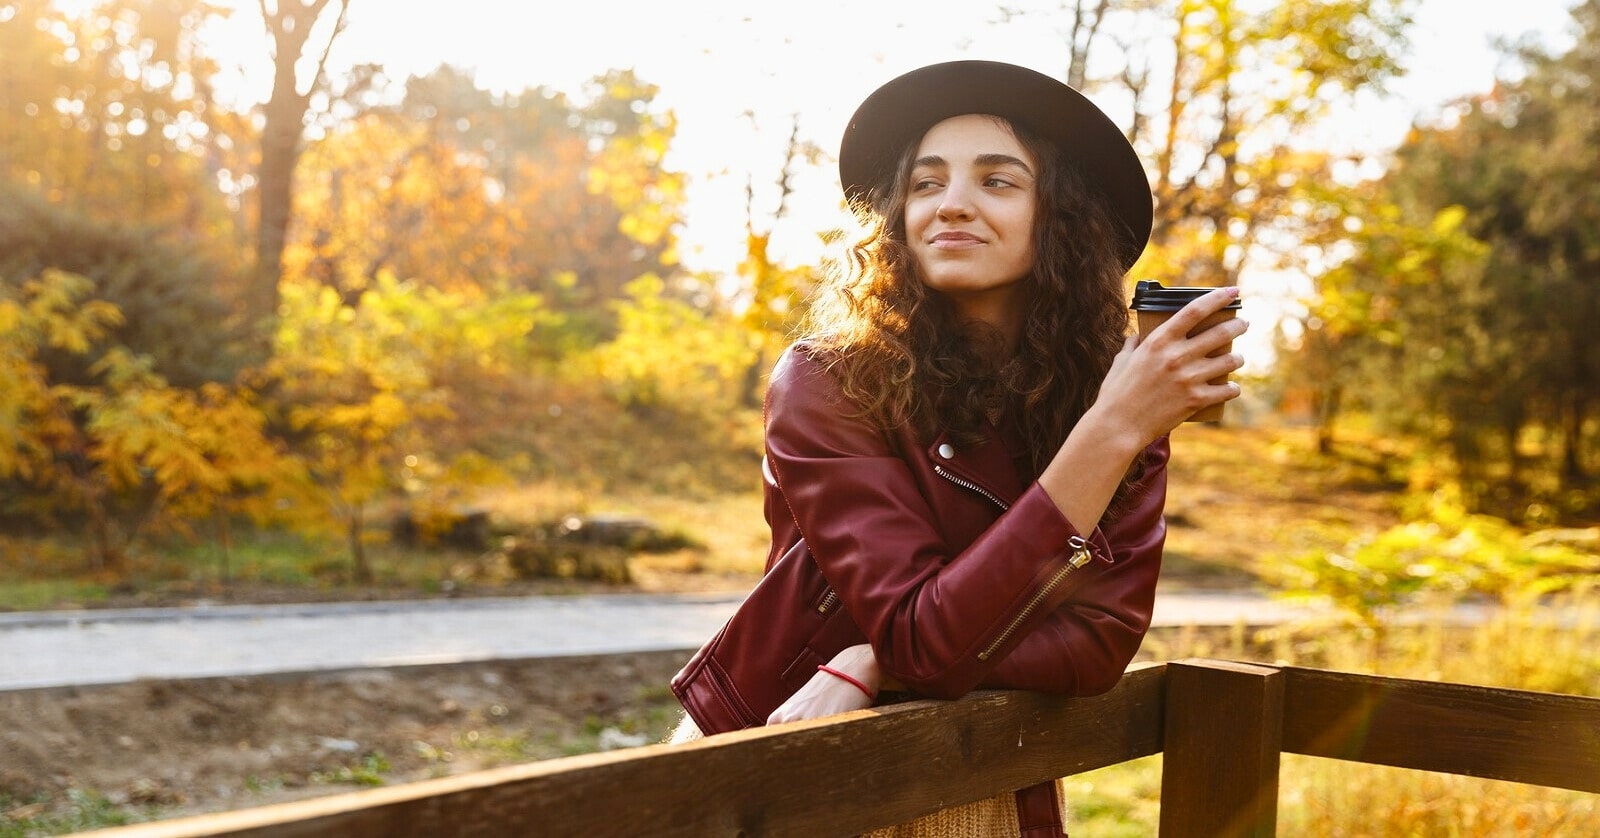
393,399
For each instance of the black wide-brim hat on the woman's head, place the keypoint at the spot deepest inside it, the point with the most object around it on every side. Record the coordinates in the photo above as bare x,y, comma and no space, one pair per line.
900,114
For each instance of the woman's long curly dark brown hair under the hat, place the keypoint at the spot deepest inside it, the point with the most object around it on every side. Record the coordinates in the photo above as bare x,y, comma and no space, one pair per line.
903,356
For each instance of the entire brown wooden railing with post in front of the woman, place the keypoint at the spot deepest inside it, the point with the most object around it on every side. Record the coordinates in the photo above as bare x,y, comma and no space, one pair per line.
1220,725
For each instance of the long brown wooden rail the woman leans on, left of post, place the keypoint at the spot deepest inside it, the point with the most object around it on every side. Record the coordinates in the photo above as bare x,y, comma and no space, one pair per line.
834,776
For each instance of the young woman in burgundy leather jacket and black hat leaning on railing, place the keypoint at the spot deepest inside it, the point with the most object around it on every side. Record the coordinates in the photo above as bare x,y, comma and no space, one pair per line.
967,455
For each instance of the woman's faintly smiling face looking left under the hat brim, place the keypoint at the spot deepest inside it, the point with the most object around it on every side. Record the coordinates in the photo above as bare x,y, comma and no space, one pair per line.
970,215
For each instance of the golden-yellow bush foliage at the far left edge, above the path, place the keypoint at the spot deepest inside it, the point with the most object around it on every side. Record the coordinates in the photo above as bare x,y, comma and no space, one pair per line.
130,450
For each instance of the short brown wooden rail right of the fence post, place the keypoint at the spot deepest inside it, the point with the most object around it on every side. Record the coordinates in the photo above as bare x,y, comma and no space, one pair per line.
1505,735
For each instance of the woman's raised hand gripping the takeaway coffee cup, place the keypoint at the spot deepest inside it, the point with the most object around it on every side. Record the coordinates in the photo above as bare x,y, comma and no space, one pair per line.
1164,378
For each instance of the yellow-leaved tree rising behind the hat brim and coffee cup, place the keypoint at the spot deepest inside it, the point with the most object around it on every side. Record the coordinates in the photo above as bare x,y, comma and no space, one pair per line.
1222,97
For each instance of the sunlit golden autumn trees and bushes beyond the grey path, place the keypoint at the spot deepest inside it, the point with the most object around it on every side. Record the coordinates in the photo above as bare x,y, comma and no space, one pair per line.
284,325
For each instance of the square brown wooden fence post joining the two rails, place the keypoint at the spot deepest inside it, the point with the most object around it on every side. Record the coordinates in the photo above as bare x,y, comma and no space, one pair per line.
1223,736
